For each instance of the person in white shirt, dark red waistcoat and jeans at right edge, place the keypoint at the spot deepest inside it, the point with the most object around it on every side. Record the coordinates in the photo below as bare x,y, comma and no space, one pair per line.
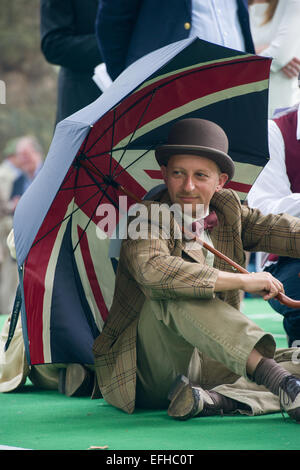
277,190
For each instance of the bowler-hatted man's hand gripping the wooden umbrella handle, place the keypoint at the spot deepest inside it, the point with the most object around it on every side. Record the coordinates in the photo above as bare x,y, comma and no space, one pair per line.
262,283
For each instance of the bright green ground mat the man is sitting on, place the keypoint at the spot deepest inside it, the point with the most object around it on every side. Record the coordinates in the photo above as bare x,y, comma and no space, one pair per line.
44,420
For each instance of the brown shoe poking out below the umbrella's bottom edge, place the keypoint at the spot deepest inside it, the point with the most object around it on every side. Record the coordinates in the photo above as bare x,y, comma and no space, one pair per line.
76,381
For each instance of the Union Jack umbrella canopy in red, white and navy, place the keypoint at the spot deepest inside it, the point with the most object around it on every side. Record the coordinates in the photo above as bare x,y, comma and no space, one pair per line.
66,276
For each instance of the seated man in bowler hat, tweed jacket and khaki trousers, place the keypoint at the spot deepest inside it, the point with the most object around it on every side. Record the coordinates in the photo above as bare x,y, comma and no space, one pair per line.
175,336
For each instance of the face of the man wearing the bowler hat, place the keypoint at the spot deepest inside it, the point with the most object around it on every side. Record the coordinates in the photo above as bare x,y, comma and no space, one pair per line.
191,179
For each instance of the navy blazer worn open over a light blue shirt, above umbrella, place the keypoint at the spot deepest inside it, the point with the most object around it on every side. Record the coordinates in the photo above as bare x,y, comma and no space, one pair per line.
128,30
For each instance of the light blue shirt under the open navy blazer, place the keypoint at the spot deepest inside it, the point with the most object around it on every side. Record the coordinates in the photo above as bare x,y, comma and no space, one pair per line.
217,21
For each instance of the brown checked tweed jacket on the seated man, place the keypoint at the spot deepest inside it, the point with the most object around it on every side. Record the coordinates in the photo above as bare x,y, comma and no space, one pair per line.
162,269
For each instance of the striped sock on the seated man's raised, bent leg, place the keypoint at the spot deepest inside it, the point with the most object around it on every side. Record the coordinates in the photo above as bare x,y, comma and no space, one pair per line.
270,374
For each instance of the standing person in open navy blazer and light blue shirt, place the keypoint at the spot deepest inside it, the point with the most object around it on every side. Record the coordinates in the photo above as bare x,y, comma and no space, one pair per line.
129,30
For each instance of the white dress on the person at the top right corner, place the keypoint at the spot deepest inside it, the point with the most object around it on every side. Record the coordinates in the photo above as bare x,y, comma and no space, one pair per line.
281,35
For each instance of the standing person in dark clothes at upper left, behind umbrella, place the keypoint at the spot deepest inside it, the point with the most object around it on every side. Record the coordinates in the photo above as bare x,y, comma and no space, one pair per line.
68,40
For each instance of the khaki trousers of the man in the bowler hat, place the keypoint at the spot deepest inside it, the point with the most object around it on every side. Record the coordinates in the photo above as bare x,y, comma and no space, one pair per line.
208,341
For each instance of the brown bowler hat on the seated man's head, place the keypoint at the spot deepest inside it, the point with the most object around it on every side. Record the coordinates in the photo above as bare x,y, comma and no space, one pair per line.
197,137
